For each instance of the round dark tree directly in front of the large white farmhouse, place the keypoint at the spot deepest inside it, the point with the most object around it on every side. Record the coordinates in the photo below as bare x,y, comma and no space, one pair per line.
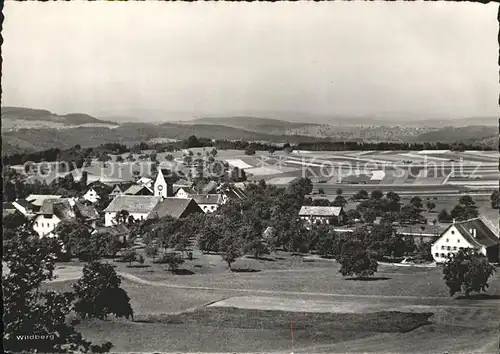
467,271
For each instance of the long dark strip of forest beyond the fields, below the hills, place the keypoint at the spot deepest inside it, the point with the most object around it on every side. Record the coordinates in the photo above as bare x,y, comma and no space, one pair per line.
77,156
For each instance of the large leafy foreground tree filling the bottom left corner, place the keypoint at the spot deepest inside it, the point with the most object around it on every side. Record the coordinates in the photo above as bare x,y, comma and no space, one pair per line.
30,310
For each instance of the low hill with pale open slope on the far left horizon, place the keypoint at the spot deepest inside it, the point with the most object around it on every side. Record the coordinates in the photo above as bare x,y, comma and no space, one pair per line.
19,117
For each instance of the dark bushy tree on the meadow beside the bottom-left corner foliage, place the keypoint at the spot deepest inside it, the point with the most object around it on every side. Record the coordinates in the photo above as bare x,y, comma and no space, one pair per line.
99,294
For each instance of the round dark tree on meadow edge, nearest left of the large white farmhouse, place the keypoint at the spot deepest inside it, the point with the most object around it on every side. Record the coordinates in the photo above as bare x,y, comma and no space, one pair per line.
355,260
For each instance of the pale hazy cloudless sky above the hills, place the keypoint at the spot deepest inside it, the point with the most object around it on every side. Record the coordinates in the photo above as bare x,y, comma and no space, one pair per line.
180,60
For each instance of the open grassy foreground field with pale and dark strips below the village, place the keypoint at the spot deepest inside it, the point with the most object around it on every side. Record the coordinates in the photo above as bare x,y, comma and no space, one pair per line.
306,308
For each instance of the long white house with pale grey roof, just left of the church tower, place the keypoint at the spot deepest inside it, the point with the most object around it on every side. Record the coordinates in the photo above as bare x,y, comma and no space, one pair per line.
138,206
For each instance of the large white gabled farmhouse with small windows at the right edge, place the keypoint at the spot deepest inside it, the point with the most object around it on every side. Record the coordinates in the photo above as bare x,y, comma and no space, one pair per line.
473,233
